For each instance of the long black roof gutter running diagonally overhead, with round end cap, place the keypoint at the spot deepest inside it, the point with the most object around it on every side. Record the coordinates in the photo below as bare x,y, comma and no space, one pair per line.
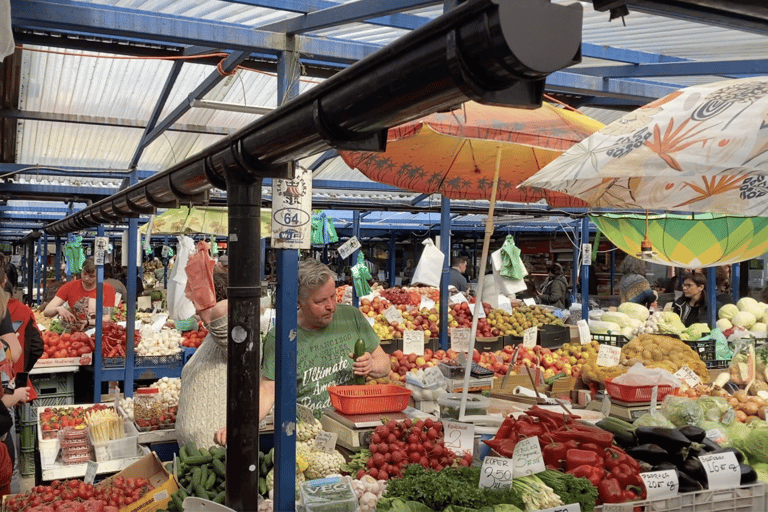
491,51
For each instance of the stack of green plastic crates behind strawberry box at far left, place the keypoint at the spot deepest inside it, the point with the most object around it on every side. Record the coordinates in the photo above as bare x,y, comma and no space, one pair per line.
52,389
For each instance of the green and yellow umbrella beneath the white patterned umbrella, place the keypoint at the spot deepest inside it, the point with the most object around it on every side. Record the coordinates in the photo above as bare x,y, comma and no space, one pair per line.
691,241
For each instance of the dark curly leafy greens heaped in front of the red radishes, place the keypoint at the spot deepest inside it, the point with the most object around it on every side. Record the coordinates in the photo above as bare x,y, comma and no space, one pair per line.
450,486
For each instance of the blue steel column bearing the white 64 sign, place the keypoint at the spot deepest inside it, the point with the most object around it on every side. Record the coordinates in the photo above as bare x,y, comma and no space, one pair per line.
286,327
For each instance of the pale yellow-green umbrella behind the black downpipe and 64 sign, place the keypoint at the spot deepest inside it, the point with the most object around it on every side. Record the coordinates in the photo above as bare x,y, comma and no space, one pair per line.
205,220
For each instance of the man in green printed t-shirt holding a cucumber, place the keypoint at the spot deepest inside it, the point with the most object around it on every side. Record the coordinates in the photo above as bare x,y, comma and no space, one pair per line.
327,335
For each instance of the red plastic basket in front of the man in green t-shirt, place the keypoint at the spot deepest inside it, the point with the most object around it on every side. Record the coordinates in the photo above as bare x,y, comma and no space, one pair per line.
369,399
